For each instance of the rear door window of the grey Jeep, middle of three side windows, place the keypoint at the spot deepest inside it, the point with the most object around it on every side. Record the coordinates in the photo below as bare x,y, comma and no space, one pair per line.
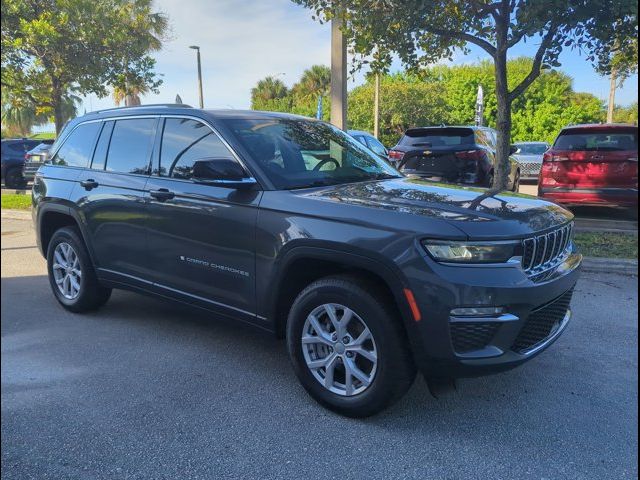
131,145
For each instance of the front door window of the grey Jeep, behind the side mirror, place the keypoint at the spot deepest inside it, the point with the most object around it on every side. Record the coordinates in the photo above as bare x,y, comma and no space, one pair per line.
183,142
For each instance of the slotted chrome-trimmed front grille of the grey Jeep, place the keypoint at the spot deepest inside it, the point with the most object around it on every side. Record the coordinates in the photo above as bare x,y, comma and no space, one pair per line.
544,252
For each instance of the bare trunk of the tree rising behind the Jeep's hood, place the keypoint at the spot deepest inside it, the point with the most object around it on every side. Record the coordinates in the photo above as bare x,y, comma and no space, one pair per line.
503,123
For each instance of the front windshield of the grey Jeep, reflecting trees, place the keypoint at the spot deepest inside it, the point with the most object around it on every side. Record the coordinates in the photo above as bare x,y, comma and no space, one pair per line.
304,153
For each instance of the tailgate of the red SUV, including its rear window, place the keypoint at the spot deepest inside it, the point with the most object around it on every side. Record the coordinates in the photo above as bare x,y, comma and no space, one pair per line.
596,158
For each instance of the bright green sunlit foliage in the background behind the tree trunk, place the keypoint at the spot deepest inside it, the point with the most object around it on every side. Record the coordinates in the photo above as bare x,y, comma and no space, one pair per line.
447,94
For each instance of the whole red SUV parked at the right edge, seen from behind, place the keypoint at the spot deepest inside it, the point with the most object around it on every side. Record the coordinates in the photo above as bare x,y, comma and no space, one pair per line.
592,165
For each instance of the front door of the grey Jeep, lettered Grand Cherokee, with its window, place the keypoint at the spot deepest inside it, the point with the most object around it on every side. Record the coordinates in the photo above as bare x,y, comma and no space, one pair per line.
201,237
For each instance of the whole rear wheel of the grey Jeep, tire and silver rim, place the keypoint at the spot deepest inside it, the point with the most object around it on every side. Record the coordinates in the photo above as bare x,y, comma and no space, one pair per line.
71,274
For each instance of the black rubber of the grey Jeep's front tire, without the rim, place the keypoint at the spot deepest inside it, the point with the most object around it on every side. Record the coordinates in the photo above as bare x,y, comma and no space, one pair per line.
395,371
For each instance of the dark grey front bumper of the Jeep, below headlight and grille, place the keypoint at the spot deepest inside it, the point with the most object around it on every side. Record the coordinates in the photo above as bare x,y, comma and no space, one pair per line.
534,317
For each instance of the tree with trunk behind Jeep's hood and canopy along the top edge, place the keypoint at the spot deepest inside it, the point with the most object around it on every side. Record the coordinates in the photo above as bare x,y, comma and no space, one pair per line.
421,32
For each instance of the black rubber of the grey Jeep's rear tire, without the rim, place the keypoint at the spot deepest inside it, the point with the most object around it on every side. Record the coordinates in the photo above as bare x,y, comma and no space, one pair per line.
91,294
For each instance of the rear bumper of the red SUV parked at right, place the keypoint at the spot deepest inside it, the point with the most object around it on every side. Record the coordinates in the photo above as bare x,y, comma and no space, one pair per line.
615,197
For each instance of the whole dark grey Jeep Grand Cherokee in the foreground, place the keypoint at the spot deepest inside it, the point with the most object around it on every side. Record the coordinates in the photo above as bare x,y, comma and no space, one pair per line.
291,225
